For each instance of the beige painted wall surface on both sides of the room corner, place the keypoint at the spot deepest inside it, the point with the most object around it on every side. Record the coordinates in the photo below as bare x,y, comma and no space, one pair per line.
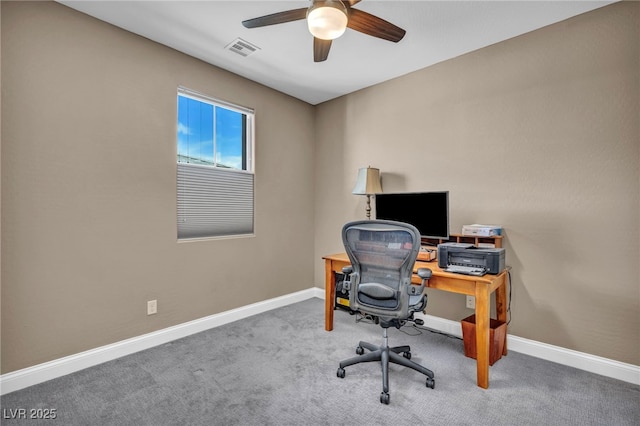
539,133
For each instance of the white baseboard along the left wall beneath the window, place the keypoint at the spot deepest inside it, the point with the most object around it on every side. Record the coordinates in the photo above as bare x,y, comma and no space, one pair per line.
30,376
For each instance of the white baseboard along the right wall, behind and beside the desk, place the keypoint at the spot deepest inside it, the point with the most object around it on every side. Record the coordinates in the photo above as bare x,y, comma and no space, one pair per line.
606,367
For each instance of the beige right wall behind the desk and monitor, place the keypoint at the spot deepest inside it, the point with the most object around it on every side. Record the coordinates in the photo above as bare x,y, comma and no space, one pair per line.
540,134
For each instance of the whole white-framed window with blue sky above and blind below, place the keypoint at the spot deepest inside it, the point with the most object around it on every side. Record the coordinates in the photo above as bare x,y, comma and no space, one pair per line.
215,167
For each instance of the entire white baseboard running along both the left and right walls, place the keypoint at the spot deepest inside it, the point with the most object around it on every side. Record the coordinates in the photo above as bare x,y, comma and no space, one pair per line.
30,376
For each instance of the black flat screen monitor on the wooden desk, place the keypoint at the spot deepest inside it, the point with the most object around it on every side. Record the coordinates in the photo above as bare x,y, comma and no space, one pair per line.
427,211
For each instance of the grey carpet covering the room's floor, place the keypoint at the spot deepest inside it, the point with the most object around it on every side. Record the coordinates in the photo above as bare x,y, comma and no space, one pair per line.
279,368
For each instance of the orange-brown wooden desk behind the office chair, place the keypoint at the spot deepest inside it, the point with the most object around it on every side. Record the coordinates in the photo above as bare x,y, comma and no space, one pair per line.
480,287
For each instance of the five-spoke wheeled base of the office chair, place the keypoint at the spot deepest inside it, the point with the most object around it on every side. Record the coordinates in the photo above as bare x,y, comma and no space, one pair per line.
385,355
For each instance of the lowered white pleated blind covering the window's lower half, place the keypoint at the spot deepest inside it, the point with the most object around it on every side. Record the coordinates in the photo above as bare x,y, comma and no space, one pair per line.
214,202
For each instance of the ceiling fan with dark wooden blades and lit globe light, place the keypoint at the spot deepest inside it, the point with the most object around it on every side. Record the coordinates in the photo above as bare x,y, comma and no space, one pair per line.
328,20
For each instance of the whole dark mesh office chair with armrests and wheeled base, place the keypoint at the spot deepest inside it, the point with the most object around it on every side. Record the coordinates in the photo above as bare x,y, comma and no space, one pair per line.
382,255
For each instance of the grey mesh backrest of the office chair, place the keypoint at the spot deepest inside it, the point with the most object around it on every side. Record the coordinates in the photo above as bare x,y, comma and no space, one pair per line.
382,254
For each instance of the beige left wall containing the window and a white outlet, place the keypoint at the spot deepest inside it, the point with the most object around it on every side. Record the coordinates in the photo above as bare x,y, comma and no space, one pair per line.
89,189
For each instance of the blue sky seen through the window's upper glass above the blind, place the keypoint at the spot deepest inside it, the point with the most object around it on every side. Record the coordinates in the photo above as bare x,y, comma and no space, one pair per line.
198,122
